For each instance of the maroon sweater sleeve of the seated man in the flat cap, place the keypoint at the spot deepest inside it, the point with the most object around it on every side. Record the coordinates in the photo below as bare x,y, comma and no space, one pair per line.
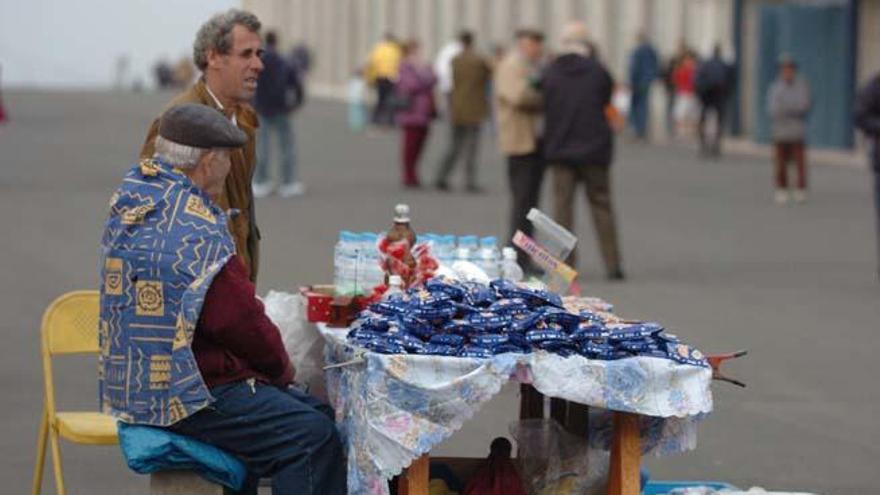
234,339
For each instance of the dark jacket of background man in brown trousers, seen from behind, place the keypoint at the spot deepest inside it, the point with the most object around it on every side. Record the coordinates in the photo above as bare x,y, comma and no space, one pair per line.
576,91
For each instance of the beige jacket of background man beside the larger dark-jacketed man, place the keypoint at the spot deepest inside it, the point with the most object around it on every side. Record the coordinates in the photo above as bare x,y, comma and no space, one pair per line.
518,106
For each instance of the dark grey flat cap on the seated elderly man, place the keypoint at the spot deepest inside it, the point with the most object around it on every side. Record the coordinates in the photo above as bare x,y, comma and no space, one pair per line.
200,126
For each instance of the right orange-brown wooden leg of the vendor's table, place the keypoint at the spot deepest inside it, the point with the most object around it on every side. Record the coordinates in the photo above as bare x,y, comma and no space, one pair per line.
626,456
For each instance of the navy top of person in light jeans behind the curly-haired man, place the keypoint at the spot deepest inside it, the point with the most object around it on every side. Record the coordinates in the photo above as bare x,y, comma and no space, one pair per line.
279,88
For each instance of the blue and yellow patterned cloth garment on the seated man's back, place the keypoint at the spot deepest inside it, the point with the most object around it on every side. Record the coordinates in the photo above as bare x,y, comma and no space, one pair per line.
163,243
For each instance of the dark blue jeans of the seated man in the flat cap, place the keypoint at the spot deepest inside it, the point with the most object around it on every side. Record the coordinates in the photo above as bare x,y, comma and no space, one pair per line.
287,435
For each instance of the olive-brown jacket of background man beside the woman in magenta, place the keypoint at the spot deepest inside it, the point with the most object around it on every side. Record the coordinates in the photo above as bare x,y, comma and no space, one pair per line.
470,80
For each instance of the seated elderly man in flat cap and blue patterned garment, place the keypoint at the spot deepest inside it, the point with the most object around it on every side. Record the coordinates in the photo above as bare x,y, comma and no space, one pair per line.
185,343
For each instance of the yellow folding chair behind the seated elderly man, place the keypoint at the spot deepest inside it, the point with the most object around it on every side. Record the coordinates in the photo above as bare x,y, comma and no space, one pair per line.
70,326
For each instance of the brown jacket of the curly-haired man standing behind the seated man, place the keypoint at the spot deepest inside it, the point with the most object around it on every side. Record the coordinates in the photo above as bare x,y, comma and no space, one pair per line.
238,194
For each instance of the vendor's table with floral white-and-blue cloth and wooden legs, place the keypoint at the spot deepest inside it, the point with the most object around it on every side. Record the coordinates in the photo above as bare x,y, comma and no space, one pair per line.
394,408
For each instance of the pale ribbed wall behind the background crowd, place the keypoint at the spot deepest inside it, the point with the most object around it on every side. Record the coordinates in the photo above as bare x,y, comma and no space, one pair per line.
341,32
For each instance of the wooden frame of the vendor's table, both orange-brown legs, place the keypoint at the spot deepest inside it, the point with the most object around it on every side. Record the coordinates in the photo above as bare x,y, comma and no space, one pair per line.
623,475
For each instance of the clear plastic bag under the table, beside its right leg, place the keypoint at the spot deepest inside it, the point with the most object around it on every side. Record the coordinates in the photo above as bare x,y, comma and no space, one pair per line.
555,462
